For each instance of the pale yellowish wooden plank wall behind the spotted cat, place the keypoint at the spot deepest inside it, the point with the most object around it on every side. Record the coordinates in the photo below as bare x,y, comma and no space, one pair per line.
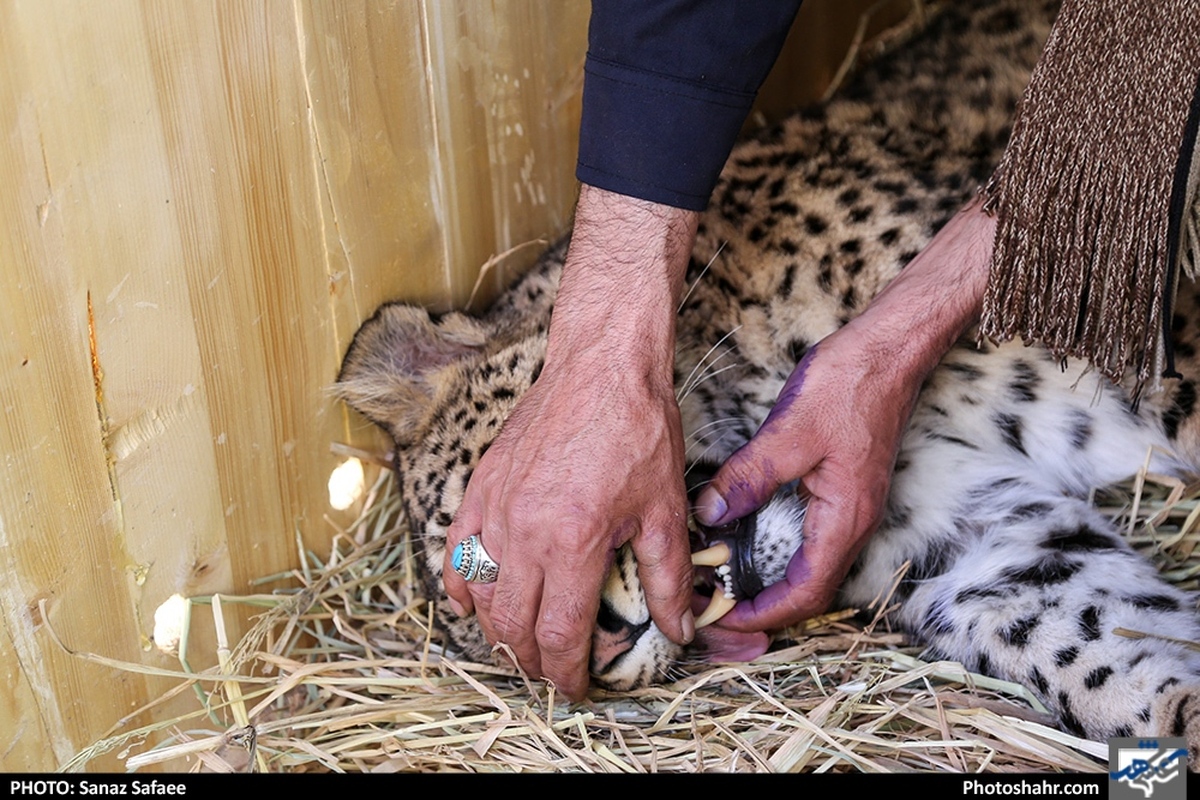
205,199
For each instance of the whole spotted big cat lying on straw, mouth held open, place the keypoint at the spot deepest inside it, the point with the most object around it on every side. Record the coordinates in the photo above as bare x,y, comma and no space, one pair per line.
1011,572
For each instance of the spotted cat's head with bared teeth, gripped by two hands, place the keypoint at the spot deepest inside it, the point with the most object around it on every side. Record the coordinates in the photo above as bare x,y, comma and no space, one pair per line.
442,388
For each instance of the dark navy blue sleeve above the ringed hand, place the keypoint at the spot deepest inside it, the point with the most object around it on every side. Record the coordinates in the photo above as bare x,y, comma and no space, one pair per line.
668,86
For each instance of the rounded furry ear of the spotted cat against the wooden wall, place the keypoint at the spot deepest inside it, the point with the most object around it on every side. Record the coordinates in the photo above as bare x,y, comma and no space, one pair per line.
389,370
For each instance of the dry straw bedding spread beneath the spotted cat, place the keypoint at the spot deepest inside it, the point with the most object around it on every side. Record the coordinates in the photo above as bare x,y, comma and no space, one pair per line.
345,675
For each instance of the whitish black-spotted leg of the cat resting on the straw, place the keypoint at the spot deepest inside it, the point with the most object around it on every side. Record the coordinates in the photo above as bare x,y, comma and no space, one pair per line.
1045,597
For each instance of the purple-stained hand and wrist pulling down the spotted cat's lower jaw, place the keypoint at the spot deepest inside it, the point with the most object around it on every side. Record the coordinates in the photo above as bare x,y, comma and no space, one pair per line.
841,417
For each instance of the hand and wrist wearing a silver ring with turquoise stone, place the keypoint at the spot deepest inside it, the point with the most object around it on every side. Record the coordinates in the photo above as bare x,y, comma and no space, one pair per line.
592,458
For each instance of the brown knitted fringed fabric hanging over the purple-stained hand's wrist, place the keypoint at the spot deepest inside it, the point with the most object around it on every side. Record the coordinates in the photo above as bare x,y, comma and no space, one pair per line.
1093,193
